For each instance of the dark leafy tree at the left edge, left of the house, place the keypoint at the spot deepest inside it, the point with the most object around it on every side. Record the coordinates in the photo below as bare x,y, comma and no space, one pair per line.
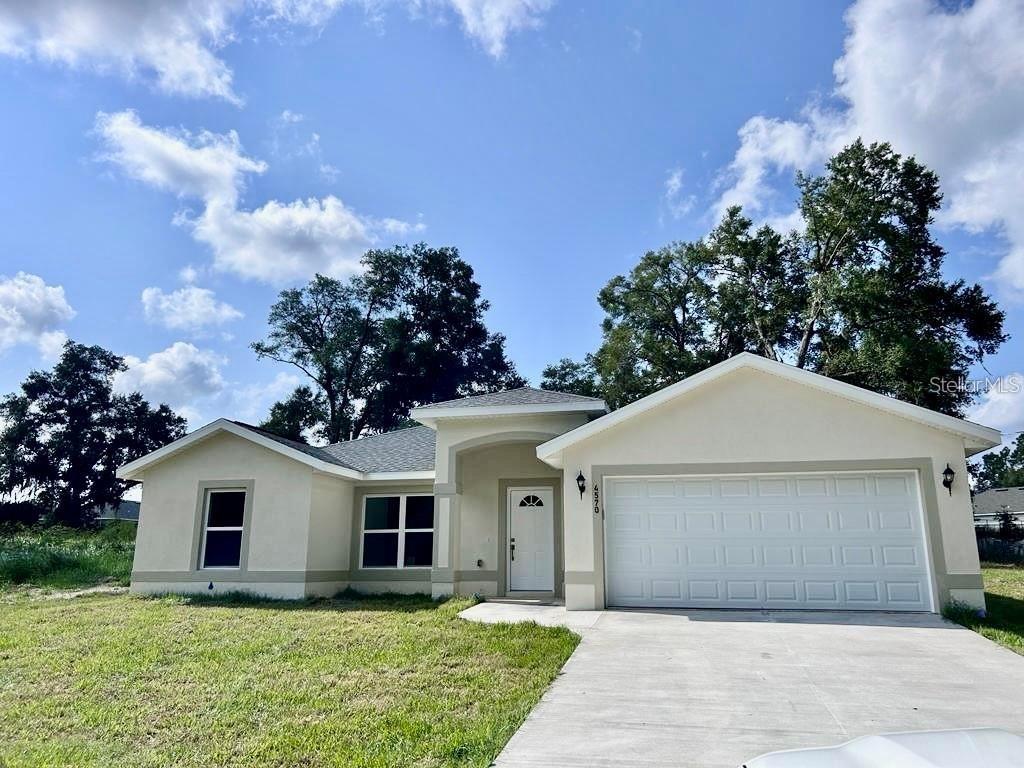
67,432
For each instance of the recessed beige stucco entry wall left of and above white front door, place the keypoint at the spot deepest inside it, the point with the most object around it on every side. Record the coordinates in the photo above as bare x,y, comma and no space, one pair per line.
480,475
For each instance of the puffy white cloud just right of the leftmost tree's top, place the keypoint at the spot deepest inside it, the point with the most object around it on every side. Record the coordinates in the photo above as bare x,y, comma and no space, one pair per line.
182,376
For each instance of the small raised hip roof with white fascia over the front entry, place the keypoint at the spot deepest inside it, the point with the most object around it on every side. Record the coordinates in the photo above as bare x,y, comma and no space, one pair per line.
509,403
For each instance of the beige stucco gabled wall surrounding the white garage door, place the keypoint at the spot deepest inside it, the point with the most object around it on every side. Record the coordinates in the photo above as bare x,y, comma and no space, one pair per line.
758,418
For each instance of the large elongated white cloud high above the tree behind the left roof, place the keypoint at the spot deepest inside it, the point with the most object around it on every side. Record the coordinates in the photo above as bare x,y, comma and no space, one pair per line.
276,243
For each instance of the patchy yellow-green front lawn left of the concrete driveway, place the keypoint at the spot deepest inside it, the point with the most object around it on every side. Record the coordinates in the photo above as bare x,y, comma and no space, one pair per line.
364,684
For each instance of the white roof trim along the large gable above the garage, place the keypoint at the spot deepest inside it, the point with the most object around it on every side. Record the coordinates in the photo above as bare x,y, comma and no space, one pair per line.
976,437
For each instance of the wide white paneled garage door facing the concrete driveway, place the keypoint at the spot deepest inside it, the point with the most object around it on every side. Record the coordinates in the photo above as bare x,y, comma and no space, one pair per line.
838,541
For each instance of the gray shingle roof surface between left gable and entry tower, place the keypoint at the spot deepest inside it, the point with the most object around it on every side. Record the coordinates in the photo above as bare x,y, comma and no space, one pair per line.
403,451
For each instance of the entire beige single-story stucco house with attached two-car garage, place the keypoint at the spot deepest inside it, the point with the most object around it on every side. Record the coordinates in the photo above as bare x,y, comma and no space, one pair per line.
751,485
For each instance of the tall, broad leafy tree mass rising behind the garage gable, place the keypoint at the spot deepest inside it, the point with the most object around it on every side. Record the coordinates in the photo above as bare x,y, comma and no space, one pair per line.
859,295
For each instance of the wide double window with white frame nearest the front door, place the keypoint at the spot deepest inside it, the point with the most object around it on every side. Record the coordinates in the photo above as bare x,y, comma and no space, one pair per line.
398,532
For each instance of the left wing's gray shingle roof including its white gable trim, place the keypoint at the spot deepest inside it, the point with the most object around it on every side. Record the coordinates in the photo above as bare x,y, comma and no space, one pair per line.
406,454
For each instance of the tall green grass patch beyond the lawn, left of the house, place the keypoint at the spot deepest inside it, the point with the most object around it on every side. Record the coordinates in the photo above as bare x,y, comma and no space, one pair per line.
63,559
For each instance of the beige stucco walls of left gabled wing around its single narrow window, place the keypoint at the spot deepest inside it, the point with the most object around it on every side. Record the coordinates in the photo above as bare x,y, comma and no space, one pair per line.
297,535
